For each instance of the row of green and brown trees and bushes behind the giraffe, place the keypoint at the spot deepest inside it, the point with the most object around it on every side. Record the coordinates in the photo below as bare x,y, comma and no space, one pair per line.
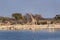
18,17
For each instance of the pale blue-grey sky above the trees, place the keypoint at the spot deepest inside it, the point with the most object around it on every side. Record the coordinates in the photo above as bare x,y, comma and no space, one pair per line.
47,8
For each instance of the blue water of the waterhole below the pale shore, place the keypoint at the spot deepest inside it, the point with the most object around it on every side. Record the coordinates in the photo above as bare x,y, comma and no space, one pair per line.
29,35
